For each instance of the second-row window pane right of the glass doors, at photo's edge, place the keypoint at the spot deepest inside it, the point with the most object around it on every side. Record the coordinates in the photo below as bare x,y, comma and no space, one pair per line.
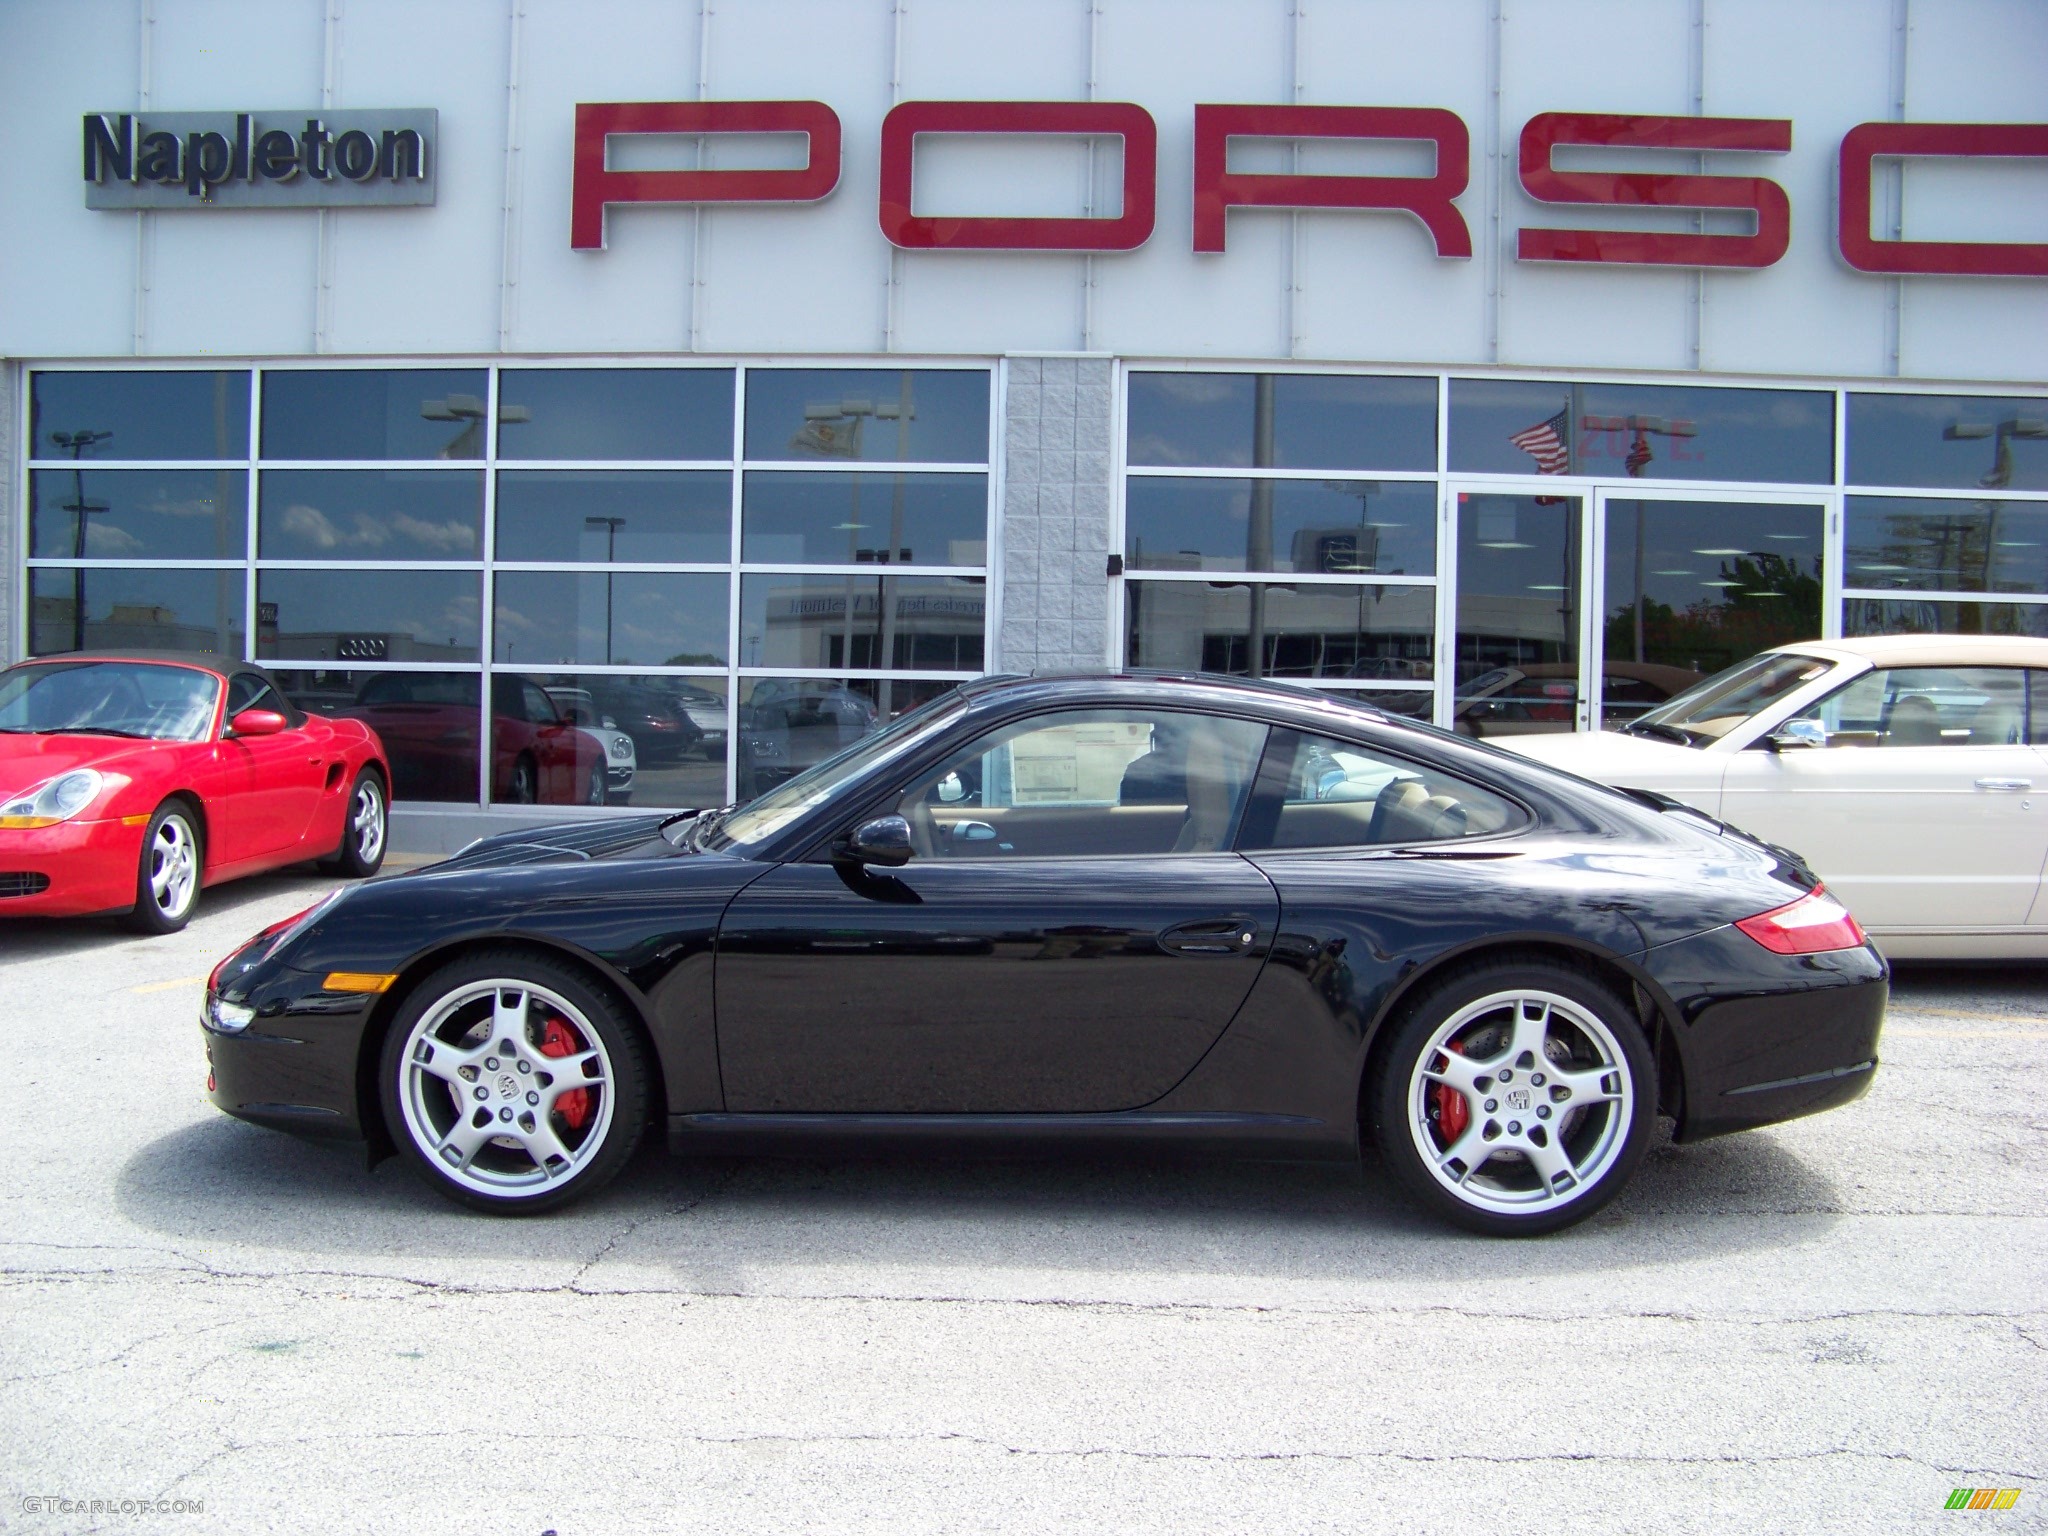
1926,546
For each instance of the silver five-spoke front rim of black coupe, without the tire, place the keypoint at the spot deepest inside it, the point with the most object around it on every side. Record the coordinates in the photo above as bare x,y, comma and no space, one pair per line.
480,1097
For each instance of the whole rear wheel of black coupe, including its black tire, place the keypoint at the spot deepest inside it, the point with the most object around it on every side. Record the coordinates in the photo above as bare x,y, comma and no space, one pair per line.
1580,1117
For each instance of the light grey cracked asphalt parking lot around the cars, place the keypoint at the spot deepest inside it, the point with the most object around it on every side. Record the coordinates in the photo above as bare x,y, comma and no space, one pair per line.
1828,1326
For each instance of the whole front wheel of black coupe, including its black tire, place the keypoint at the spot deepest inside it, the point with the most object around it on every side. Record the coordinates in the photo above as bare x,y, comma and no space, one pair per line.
447,1082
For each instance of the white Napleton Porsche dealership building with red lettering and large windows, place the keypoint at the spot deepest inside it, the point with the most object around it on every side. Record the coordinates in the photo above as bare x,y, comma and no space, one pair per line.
755,372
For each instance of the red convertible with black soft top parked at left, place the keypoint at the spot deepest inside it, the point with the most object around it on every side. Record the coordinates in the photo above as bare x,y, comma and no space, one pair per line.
130,781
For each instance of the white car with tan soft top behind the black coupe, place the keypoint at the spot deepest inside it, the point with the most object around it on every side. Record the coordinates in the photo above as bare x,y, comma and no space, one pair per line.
1912,773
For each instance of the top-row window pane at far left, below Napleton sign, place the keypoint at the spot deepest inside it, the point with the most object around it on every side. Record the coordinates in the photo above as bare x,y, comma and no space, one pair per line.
140,415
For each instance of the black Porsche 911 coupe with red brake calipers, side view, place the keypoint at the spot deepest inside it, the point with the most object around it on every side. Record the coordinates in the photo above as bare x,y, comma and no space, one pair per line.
1078,910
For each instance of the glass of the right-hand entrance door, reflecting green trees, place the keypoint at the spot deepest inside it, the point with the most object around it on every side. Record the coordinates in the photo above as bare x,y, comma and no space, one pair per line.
1697,587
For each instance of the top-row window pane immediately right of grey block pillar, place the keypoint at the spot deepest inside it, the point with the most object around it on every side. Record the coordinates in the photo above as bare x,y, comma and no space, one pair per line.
1291,421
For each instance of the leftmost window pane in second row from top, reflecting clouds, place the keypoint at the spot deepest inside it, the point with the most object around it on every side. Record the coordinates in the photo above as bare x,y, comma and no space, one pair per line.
138,513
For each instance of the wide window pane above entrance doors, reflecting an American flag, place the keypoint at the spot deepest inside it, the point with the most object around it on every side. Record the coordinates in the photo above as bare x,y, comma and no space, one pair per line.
1514,427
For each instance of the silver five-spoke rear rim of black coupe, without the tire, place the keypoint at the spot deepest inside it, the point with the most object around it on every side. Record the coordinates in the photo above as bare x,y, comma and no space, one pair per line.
1549,1103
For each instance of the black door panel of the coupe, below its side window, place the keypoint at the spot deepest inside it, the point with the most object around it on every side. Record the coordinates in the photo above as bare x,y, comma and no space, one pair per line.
976,988
